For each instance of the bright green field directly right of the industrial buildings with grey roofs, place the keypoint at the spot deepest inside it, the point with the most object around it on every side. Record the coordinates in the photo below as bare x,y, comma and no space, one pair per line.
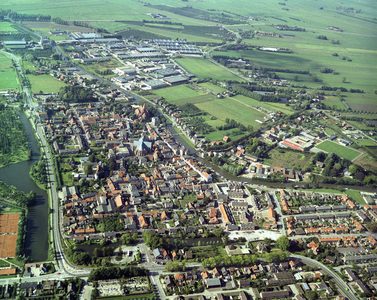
203,69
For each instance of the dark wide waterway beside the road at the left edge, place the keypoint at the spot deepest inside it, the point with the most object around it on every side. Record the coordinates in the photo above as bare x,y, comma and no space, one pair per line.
36,248
